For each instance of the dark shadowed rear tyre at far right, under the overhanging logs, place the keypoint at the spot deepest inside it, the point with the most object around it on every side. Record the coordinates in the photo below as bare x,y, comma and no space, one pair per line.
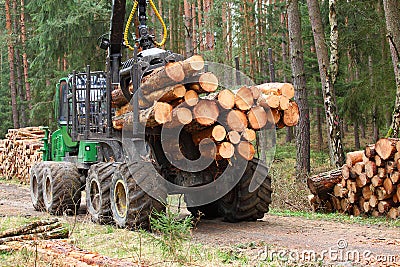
242,205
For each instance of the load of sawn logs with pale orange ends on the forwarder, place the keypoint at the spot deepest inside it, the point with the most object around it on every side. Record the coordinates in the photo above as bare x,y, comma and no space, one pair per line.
182,94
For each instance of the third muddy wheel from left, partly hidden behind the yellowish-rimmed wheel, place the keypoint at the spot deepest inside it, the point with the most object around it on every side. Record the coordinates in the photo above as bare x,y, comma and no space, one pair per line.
98,191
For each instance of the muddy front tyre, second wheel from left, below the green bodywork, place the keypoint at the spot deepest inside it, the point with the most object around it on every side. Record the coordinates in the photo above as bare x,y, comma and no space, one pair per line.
61,188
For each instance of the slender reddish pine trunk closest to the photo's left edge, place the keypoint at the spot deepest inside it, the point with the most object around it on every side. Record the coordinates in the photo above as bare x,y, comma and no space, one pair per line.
13,89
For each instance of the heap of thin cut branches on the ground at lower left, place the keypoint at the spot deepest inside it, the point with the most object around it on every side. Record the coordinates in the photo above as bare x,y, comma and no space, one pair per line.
38,230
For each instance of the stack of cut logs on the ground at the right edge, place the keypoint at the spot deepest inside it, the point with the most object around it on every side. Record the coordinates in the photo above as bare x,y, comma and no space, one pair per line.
368,184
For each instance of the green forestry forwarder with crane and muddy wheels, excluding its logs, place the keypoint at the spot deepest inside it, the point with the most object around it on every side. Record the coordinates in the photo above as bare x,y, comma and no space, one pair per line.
86,153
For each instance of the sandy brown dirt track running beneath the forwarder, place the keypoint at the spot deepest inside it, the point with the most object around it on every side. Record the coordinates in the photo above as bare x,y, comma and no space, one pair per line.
276,232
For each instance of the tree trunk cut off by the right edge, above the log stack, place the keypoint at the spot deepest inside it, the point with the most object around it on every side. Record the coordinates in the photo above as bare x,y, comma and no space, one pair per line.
392,15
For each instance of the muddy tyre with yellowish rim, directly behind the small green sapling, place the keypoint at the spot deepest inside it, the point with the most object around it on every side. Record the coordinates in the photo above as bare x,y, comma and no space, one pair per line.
132,206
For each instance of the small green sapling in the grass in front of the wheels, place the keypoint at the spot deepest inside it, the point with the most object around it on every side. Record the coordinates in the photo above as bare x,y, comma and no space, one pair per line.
172,232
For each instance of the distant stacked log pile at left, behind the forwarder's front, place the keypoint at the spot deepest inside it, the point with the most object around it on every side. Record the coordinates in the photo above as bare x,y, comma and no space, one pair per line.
19,151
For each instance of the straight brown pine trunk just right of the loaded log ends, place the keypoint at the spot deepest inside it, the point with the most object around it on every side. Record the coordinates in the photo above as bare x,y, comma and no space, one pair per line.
299,82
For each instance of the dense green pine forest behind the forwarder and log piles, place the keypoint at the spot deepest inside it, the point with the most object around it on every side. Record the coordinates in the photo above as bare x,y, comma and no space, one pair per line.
49,39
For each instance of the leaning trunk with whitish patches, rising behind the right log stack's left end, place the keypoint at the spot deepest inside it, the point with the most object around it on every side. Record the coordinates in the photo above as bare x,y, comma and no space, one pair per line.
332,118
